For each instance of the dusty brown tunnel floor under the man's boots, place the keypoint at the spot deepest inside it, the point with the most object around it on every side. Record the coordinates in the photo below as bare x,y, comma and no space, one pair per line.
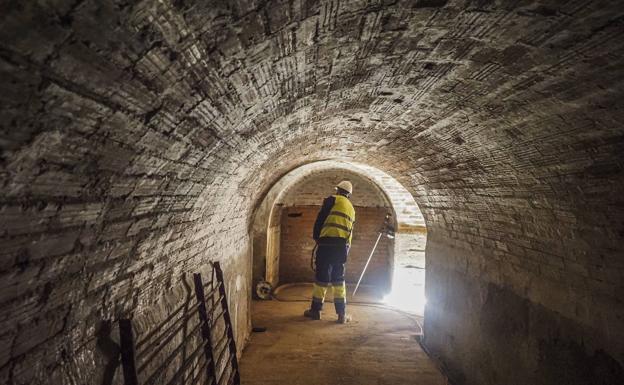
378,347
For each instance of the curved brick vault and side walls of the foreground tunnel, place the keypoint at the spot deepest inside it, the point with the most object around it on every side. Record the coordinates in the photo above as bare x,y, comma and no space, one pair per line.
136,139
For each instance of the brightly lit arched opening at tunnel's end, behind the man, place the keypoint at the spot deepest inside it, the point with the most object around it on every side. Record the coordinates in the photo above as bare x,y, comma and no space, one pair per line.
282,228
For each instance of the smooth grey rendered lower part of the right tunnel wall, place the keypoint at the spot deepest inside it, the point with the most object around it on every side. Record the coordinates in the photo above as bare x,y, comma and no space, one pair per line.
478,323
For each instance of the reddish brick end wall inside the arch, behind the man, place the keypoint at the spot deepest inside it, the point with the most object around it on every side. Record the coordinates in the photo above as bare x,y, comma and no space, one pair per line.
299,206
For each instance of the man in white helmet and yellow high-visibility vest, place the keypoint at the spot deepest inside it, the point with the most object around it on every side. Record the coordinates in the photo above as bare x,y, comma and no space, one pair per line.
332,232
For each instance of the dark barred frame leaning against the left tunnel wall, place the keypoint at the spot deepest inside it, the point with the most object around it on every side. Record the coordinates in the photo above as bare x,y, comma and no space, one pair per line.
217,342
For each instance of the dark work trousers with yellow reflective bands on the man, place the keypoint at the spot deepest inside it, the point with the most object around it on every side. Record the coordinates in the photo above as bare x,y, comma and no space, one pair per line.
330,270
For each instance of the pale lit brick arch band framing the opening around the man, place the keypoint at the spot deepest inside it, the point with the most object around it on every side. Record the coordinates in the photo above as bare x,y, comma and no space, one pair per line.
407,250
